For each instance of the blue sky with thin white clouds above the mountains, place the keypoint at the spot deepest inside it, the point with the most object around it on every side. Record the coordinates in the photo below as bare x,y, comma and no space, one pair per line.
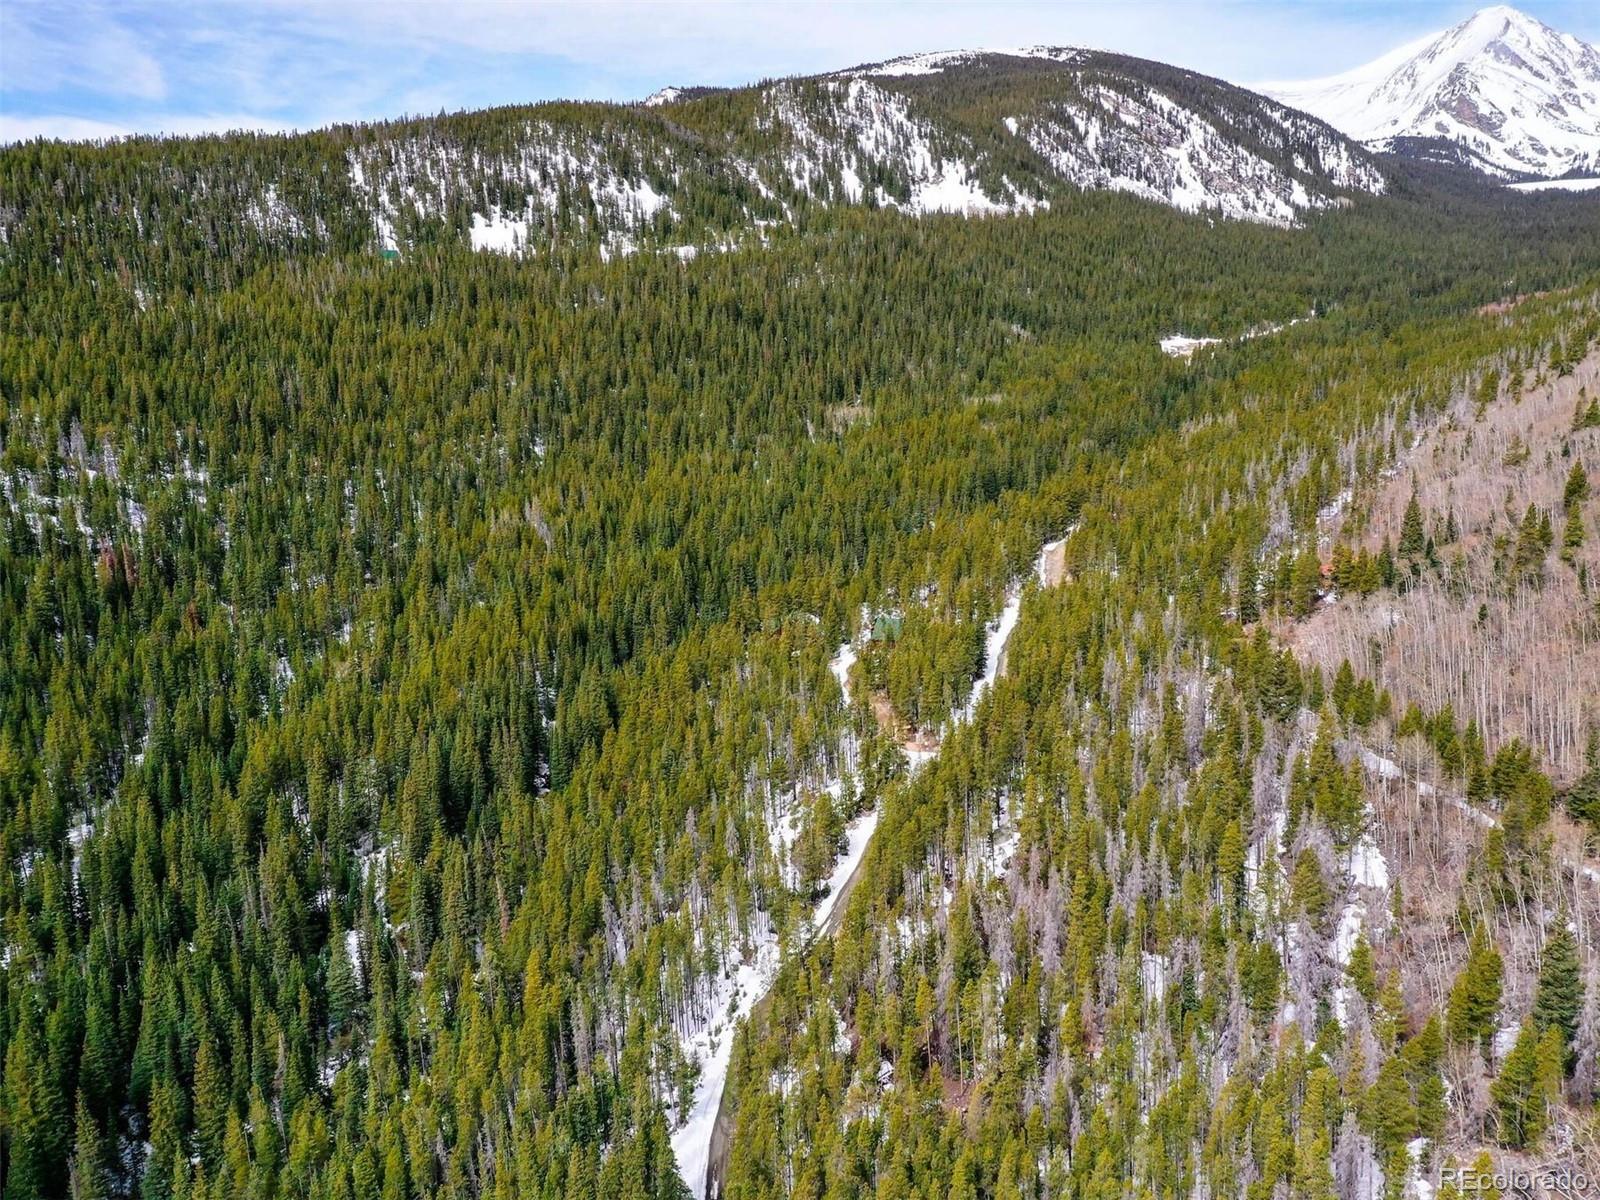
87,68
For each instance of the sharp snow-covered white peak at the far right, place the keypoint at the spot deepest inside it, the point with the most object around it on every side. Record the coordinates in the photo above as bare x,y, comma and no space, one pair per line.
1518,95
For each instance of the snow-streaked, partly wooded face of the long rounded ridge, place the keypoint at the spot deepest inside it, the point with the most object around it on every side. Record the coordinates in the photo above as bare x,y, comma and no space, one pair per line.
962,132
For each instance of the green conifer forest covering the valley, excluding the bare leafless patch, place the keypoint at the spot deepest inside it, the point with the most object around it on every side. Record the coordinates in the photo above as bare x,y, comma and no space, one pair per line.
418,722
